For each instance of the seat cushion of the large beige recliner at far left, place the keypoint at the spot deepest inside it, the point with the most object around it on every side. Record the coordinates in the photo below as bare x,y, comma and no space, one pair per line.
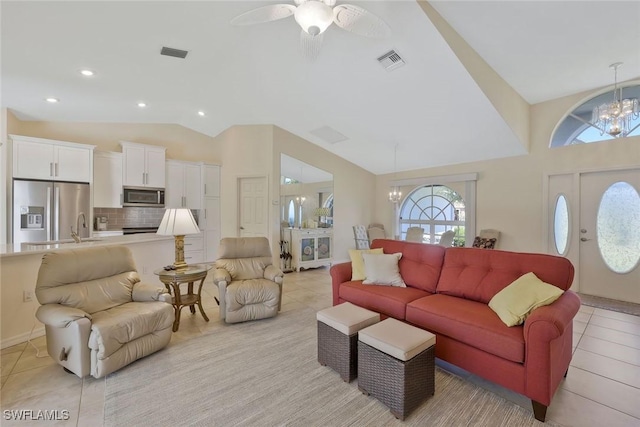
113,328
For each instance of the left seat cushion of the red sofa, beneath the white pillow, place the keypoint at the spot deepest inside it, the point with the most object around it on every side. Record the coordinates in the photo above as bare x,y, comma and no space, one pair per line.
388,300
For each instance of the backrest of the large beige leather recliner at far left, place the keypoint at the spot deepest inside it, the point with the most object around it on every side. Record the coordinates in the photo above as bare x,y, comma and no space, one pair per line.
90,279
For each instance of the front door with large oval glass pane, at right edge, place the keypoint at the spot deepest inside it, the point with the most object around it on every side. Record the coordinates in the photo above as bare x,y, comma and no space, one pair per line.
609,234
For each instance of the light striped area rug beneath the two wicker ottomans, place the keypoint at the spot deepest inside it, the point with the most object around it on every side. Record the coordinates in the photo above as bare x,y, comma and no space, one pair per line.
265,373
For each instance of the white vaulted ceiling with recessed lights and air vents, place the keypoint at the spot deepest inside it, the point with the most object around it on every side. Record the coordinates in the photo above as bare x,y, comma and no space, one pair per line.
432,108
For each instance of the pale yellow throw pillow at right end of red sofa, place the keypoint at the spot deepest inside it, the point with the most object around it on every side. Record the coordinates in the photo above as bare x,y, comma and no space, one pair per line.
515,302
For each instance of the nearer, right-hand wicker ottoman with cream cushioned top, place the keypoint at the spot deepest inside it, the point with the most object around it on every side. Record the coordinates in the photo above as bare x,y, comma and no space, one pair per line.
396,365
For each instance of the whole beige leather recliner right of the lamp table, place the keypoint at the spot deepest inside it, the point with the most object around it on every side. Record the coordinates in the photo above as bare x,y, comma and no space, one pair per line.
249,286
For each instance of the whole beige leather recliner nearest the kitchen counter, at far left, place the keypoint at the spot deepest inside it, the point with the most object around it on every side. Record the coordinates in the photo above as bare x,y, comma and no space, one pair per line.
98,316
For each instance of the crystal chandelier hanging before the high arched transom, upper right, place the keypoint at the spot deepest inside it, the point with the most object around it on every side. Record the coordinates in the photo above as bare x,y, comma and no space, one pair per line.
615,117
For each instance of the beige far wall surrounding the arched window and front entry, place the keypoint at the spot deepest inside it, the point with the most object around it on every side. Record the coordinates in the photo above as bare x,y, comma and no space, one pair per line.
510,191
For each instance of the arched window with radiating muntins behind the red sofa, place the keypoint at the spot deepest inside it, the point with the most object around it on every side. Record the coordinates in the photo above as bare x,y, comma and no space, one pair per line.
436,209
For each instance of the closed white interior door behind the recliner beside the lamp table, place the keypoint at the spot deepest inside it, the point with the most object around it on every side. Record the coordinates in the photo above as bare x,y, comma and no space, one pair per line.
253,204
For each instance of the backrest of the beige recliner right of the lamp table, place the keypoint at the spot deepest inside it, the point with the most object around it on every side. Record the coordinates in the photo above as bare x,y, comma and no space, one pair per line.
244,257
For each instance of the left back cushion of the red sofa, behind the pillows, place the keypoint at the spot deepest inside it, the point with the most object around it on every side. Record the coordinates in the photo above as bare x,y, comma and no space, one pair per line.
420,264
